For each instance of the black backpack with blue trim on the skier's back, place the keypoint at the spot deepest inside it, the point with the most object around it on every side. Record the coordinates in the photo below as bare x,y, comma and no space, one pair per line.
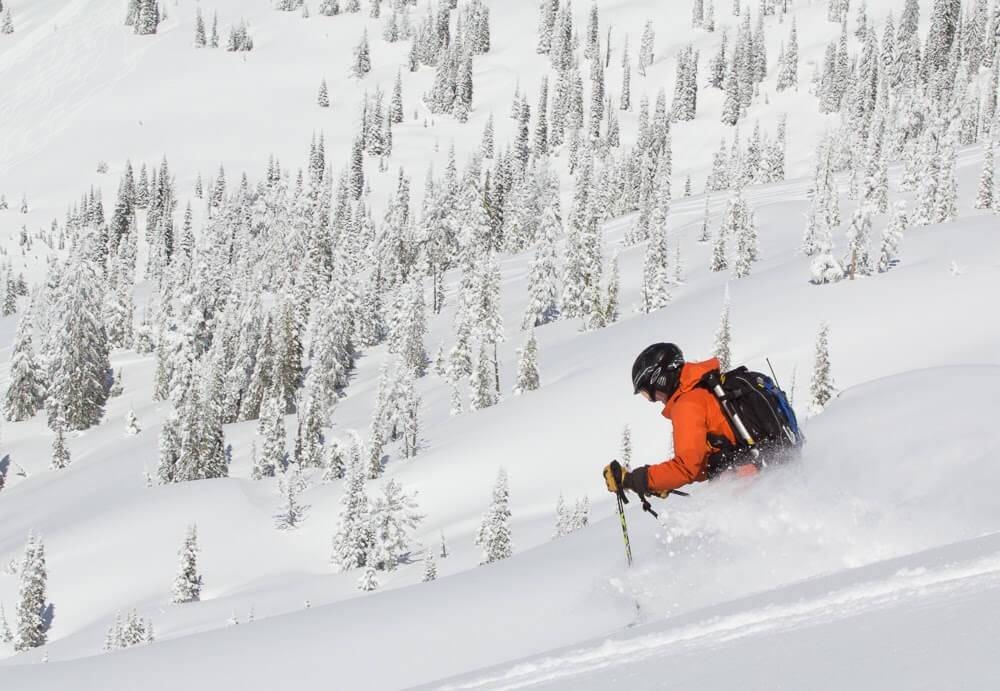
752,400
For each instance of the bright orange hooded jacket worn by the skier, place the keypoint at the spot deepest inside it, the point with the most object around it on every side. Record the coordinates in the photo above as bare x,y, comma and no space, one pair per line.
695,414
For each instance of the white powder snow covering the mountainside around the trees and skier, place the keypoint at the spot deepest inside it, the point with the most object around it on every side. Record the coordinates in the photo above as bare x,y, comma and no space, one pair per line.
873,563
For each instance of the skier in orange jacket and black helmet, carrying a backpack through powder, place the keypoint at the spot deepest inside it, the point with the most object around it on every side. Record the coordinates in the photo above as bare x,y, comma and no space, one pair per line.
705,438
